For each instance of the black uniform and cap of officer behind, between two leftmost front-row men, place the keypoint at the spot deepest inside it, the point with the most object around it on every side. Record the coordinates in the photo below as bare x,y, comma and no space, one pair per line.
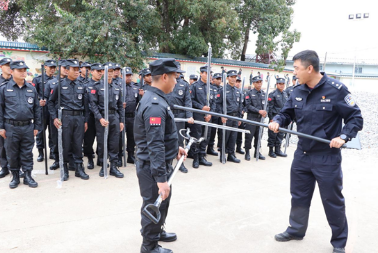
37,83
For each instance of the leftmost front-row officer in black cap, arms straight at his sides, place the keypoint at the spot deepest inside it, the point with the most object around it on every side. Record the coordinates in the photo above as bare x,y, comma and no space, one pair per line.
20,121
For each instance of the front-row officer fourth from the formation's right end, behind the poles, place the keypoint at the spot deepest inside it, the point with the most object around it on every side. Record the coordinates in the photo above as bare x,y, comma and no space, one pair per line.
199,101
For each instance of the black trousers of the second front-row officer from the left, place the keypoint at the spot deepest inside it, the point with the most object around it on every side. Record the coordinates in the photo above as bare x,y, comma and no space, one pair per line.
72,136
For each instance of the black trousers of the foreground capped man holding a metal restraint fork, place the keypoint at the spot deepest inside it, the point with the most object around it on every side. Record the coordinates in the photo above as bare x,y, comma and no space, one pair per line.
149,192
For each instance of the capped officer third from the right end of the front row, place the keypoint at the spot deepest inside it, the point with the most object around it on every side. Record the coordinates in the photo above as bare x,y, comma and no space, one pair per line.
234,108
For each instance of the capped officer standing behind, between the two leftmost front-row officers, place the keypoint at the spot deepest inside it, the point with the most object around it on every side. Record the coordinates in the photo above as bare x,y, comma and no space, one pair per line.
50,68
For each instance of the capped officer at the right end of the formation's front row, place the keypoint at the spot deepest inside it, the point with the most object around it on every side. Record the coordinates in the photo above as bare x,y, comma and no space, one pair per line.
276,102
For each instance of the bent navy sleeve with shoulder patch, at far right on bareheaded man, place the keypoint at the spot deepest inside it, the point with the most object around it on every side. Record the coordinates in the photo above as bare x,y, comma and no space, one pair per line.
350,112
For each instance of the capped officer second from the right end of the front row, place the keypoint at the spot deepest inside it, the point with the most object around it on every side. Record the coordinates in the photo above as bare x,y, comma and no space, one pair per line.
254,106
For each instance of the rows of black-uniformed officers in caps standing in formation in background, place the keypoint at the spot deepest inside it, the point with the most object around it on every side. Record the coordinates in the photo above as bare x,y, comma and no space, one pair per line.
23,107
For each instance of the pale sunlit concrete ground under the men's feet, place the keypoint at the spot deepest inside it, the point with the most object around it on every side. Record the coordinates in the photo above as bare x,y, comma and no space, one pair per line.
223,208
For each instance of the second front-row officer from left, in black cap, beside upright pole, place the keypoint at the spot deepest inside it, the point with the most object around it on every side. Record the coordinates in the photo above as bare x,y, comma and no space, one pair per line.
74,102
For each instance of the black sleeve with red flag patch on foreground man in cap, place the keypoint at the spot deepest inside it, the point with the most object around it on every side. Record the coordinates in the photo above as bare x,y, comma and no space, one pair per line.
154,118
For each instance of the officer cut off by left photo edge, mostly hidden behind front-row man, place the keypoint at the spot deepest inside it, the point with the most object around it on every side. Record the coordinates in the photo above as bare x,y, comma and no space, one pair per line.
4,78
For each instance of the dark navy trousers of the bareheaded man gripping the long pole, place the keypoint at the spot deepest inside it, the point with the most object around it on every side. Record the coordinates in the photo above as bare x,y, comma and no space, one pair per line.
325,169
